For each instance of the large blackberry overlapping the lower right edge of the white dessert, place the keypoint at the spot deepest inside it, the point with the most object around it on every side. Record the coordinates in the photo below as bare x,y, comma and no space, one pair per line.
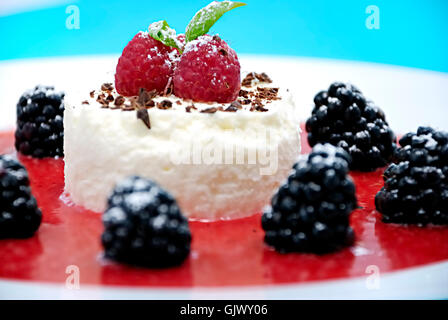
310,211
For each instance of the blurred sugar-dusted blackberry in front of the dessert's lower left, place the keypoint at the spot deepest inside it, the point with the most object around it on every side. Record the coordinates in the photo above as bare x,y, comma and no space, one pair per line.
144,226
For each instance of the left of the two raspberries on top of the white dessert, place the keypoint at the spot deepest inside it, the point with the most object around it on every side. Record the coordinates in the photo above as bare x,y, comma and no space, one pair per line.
145,63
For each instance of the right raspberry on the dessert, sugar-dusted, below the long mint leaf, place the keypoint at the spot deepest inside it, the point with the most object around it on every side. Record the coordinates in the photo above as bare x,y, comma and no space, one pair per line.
208,71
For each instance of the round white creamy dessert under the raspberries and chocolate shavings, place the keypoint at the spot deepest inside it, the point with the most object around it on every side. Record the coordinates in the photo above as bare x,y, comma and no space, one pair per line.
218,164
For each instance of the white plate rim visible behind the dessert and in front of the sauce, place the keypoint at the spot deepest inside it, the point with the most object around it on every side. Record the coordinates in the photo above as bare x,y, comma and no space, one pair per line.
410,97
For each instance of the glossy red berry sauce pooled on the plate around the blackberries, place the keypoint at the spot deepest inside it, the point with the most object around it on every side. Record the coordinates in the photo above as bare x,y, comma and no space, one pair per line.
223,253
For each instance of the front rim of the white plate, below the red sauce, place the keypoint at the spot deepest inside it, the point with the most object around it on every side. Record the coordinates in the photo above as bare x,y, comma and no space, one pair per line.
428,282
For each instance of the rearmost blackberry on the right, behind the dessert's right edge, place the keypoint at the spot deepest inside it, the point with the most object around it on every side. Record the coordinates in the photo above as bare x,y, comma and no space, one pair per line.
343,117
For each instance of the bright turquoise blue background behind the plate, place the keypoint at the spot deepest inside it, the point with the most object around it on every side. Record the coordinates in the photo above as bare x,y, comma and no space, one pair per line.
412,33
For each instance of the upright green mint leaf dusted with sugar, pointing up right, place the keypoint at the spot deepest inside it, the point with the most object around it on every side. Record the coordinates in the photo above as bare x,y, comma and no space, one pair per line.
205,18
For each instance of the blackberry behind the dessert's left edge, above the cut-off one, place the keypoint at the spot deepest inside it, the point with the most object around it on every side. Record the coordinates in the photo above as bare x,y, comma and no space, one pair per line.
40,128
